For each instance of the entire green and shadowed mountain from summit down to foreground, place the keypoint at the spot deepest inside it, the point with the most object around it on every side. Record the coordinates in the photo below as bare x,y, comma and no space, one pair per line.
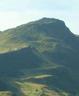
40,52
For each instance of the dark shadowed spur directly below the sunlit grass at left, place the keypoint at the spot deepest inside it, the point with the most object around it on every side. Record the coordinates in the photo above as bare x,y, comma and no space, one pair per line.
12,63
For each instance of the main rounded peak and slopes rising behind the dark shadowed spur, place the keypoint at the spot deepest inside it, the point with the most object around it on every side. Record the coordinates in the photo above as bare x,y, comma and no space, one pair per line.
50,37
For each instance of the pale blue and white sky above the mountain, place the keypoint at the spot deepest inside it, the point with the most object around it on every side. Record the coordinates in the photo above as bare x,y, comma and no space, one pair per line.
17,12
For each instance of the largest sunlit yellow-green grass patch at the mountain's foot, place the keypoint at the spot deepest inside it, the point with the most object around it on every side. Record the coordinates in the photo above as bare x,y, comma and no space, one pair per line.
34,89
